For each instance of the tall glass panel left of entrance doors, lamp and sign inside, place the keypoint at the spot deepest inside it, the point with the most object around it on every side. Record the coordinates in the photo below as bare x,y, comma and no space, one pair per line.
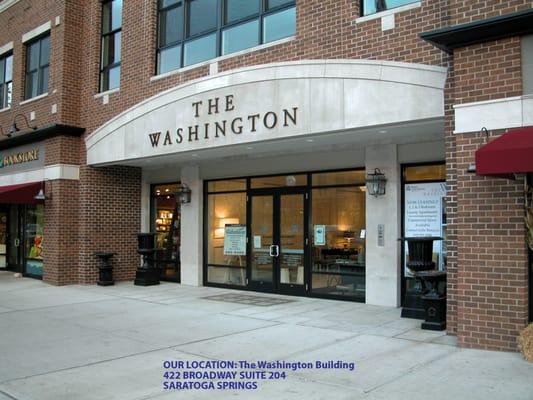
226,230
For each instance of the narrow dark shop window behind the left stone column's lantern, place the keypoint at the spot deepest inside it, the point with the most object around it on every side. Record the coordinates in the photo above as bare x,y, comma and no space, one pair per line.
166,217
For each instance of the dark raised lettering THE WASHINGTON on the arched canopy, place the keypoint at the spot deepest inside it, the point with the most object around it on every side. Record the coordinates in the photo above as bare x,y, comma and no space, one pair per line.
227,124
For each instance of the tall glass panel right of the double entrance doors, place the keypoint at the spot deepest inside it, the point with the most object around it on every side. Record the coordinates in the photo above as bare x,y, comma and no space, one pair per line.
338,238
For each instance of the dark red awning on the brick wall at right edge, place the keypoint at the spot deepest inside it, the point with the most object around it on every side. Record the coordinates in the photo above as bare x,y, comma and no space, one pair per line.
511,153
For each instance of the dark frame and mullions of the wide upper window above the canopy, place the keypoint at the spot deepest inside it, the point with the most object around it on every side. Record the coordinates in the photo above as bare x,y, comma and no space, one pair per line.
222,26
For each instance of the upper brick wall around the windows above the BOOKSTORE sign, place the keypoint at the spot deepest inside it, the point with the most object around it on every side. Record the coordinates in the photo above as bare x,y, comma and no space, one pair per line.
22,18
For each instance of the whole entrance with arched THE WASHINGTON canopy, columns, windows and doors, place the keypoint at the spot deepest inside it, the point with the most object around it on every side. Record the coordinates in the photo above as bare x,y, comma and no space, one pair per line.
277,159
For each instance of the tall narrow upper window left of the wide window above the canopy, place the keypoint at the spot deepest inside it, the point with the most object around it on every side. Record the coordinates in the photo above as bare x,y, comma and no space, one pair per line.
111,42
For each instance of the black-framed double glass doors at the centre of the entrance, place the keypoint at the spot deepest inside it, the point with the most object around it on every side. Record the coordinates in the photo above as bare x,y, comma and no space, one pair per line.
278,241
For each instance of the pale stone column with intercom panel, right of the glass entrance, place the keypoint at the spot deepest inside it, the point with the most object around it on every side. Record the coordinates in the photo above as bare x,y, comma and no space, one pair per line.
383,277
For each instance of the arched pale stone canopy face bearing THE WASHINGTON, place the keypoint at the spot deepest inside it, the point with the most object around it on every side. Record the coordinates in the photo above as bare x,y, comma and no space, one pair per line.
270,102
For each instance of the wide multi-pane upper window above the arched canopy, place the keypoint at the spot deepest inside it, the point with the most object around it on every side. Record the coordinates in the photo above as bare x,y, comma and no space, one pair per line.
192,31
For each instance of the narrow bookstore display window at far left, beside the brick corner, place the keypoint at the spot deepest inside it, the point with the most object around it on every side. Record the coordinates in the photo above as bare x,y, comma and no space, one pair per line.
34,237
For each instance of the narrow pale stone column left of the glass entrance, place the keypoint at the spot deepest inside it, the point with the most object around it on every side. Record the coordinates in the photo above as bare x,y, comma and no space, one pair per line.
192,228
